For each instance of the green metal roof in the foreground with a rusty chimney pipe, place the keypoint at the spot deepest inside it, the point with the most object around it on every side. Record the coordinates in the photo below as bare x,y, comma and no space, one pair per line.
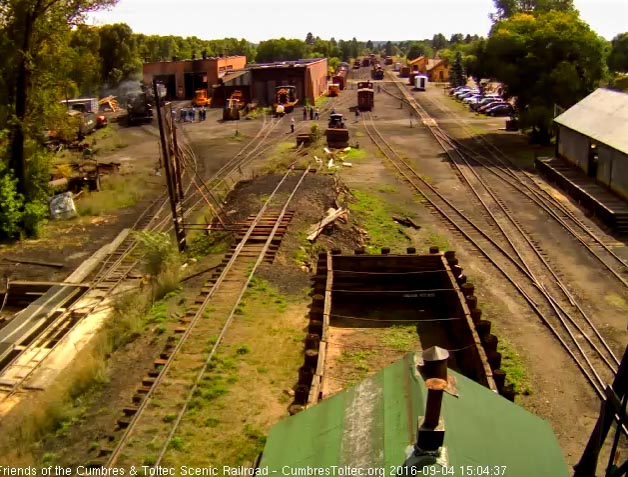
374,424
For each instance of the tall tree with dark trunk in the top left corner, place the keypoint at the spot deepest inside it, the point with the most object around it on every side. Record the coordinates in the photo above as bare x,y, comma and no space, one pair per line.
32,26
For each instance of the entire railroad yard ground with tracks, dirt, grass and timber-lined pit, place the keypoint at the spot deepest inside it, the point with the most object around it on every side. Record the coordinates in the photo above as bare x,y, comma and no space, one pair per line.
203,373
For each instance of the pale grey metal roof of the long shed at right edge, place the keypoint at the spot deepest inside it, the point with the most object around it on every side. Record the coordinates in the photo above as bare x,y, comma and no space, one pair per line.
602,116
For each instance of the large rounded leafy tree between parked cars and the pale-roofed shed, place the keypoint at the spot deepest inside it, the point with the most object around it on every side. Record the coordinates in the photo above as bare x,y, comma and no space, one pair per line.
544,59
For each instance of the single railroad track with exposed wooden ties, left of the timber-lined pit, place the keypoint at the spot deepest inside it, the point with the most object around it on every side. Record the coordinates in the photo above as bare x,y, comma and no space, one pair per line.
179,373
